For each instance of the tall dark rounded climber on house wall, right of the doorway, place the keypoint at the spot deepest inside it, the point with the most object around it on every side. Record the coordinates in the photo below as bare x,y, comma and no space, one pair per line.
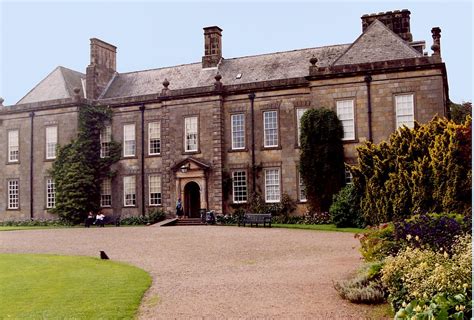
322,157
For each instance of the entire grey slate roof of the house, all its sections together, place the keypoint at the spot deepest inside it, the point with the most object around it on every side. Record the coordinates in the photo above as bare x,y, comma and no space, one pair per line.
377,43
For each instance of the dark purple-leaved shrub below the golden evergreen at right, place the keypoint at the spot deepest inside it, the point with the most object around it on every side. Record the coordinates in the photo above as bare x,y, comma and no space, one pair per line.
437,231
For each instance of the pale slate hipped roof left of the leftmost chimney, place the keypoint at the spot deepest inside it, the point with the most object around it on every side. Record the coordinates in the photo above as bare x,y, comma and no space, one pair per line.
59,84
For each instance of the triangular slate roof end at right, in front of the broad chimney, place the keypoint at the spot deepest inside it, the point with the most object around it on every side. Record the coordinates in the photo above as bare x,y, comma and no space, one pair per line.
377,43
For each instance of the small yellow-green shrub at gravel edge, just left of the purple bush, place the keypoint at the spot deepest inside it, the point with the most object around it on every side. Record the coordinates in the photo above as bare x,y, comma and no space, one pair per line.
378,242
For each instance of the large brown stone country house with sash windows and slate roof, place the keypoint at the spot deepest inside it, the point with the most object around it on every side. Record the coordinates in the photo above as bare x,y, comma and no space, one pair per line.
188,130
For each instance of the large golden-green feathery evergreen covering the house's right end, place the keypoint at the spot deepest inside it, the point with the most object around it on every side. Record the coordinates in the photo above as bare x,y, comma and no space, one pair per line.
420,170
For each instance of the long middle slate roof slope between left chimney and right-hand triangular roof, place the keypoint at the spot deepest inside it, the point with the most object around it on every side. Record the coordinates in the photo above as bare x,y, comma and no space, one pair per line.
273,66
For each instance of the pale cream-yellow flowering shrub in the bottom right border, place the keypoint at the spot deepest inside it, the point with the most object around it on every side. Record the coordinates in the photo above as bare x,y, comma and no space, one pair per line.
417,273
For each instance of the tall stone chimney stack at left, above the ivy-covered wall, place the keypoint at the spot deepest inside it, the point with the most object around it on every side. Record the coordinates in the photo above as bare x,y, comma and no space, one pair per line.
102,67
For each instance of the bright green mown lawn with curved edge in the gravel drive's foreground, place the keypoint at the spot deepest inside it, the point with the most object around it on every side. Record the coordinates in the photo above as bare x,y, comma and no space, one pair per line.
66,287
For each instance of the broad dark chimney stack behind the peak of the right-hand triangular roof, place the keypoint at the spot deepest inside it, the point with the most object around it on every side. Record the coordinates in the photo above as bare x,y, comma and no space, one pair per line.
397,21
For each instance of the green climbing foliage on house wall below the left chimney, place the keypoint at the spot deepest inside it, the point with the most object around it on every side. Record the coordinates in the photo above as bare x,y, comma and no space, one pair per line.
78,169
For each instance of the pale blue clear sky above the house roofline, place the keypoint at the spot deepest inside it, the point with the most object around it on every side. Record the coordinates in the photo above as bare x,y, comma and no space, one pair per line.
38,36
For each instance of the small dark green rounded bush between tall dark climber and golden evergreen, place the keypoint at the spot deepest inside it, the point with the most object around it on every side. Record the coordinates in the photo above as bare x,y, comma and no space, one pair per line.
345,211
